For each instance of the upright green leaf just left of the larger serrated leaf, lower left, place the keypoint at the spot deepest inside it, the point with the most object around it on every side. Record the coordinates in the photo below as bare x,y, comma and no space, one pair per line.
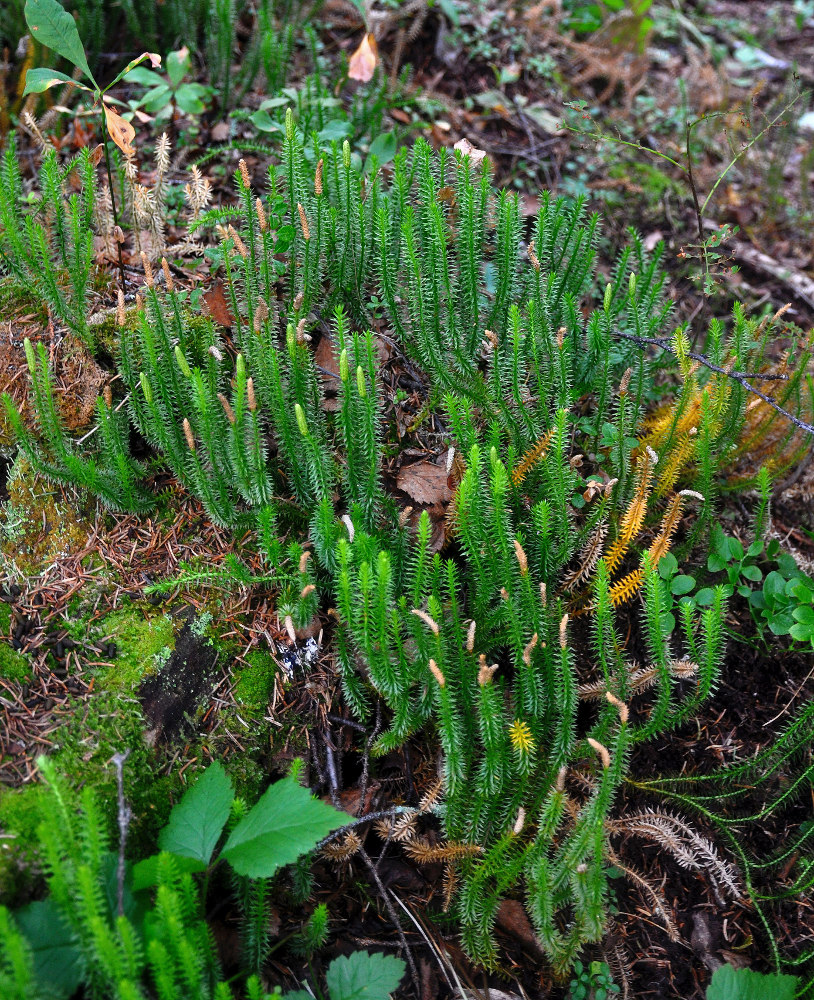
198,820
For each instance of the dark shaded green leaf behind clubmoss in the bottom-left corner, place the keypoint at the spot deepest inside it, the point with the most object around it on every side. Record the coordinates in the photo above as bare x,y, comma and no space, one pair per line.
58,964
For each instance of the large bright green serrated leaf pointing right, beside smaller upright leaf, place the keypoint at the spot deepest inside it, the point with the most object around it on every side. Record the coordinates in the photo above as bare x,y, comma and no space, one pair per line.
286,823
